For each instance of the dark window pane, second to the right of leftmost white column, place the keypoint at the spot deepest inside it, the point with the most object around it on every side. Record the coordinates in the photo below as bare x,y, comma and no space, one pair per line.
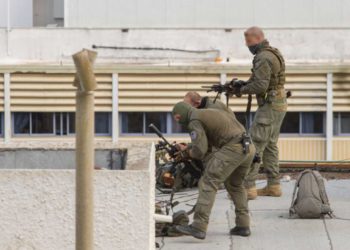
42,123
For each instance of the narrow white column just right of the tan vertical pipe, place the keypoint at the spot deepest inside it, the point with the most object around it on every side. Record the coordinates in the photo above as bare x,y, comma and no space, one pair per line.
115,108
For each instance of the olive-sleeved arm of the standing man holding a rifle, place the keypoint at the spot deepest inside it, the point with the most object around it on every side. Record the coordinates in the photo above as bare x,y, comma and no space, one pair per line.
259,81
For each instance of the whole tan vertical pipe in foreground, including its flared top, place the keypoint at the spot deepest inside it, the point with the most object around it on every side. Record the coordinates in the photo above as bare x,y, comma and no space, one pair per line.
85,132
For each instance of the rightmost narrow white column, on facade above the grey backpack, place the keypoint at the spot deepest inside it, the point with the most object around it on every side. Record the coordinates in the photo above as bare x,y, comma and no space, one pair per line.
329,120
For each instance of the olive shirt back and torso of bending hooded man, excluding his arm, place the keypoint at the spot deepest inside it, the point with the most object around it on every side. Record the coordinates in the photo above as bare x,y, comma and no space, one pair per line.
219,126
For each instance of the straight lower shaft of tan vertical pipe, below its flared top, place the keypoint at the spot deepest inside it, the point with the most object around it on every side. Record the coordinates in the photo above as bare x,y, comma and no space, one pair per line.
84,169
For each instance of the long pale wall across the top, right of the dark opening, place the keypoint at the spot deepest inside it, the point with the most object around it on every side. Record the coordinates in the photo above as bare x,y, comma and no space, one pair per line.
207,13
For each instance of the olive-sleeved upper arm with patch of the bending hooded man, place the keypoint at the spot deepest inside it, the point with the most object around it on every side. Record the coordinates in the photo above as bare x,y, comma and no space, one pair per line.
199,142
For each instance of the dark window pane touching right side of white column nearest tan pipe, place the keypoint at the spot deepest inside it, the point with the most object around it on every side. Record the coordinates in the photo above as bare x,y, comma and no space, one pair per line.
132,122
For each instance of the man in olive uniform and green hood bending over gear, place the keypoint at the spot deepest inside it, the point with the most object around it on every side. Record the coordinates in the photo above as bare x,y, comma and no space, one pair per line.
228,164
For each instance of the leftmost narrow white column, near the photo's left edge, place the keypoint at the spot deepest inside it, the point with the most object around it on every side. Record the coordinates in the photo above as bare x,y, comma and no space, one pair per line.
7,108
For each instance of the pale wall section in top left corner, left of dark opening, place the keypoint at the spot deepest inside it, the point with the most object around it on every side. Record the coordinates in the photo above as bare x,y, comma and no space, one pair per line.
21,13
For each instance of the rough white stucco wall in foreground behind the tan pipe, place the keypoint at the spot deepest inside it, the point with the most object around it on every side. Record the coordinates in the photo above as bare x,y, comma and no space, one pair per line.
37,209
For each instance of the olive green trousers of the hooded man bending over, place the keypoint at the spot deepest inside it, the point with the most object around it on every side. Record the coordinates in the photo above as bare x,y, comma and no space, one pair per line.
228,165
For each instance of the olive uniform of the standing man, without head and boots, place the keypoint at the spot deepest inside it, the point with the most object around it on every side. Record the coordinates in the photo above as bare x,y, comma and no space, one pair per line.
267,82
